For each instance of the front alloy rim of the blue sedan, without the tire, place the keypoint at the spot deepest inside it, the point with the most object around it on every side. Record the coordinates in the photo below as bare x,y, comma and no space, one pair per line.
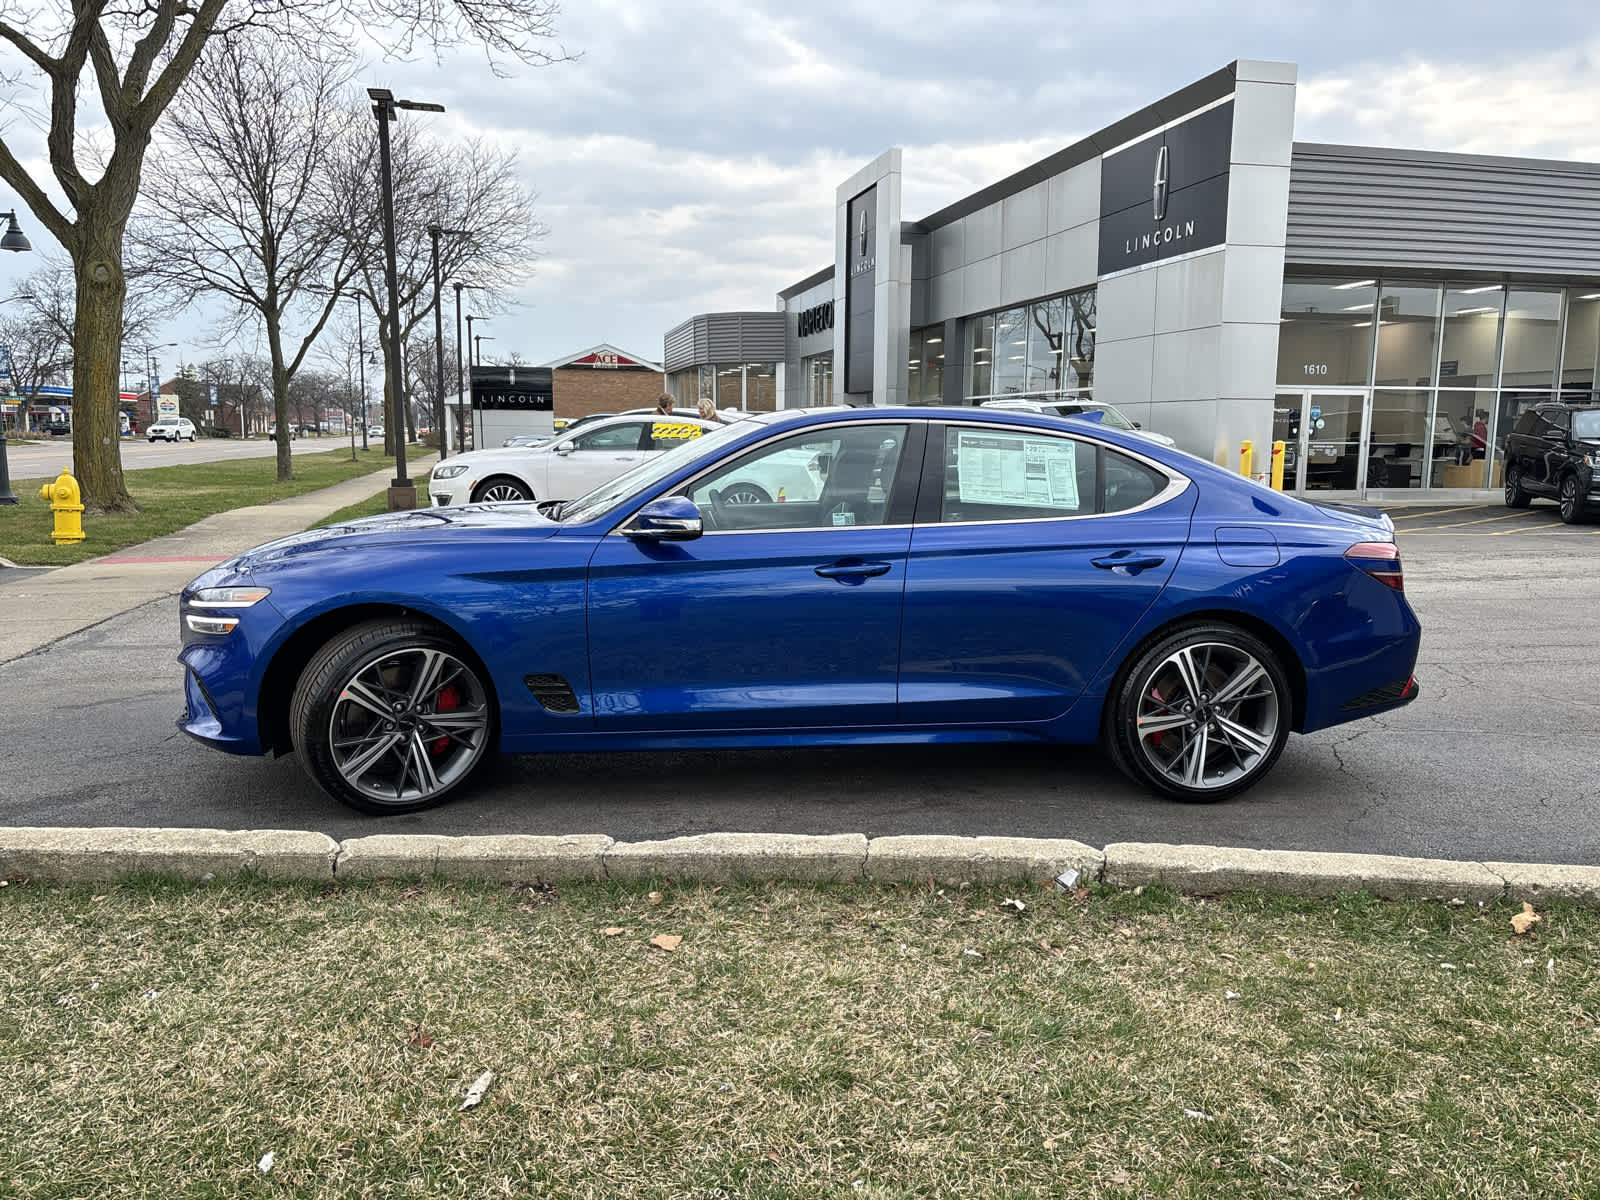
409,726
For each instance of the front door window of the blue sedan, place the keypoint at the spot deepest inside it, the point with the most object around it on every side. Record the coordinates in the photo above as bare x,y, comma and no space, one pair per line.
831,478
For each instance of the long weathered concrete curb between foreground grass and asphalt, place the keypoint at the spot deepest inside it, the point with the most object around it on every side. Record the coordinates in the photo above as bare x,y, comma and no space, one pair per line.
110,855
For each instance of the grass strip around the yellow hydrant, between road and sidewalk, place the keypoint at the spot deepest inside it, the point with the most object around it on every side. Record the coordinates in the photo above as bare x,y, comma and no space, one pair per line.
170,498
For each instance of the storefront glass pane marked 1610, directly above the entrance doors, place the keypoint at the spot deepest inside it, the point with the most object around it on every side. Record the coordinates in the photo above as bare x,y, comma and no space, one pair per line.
1326,332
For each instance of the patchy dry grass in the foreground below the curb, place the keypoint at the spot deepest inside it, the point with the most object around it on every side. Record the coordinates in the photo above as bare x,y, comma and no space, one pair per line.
161,1041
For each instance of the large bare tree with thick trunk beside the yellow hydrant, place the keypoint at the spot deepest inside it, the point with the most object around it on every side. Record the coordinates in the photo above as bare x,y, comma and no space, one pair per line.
130,58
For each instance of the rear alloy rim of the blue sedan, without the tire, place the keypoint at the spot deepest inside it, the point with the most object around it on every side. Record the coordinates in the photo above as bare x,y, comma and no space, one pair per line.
1209,716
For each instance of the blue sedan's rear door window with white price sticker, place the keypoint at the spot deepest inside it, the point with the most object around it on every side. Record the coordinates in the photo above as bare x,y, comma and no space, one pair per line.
996,476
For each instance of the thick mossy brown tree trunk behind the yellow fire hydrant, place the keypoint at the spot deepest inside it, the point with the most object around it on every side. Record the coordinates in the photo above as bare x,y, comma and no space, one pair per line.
97,358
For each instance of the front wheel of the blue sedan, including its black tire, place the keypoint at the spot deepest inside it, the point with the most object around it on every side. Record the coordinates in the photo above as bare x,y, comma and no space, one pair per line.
442,732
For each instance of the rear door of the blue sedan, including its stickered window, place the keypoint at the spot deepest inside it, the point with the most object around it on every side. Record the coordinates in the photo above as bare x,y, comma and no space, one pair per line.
1033,558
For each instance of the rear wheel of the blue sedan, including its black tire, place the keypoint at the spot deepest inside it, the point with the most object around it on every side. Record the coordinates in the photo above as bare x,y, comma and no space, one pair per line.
1226,746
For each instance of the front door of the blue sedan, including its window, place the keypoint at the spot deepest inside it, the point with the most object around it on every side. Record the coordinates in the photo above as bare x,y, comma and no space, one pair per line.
783,614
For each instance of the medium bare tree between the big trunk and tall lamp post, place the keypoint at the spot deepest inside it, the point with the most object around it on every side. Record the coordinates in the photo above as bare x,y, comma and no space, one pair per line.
244,202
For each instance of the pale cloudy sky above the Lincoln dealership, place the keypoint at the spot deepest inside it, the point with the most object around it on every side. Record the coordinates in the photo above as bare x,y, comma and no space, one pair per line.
687,161
